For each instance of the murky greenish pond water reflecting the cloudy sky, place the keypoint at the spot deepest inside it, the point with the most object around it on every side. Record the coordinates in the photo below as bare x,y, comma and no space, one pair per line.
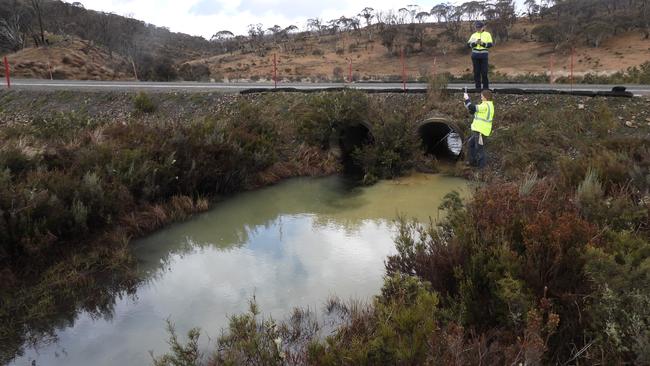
290,245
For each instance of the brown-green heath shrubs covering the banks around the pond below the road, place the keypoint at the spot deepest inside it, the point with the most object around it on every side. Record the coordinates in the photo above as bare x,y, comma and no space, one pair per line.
547,263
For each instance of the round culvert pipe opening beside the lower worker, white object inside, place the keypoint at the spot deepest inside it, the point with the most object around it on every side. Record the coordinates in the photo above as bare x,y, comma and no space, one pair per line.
441,138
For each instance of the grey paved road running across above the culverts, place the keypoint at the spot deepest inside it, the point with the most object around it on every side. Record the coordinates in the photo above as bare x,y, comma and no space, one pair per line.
34,84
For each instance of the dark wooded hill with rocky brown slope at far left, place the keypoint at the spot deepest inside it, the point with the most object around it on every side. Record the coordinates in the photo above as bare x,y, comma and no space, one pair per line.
104,46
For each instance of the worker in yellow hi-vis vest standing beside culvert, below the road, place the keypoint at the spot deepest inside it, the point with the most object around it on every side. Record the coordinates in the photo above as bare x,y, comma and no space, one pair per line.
481,127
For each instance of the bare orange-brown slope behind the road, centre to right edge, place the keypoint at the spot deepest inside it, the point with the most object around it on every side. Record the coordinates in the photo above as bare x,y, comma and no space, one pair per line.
325,58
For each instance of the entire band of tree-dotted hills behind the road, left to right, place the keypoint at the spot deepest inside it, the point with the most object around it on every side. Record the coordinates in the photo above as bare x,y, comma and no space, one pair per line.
609,38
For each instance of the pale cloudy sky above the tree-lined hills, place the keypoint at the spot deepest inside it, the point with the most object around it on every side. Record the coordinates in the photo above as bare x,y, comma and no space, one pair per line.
206,17
